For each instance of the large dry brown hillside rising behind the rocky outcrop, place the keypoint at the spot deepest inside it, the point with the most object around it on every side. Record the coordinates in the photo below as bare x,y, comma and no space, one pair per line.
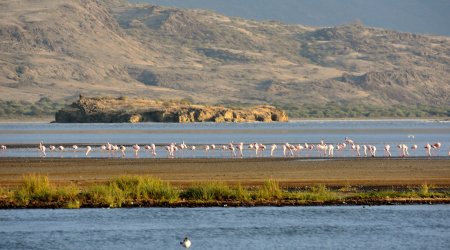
60,49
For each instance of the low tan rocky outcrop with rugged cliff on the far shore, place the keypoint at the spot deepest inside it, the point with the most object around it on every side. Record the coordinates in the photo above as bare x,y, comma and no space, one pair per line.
107,110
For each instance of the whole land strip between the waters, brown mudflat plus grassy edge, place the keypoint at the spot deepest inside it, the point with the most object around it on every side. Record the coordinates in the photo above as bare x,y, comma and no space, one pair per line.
103,183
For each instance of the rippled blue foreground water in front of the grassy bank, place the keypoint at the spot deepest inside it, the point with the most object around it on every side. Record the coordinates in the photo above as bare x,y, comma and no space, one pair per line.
341,227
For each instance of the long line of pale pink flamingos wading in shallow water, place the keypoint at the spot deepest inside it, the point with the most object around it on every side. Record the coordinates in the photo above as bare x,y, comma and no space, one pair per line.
322,149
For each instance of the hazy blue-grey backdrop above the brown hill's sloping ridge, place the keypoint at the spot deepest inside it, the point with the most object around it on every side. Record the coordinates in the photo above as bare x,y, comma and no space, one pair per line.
419,16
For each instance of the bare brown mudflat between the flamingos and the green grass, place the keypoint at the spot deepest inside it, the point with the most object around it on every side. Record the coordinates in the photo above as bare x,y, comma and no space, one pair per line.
181,172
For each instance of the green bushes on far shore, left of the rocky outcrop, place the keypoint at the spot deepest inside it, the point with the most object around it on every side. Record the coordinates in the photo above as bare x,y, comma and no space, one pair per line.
40,108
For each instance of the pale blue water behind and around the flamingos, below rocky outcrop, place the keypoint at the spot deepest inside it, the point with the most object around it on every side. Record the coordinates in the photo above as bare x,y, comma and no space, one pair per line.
378,133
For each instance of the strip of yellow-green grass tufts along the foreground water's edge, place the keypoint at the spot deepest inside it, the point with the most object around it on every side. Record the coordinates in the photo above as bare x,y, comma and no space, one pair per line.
37,191
